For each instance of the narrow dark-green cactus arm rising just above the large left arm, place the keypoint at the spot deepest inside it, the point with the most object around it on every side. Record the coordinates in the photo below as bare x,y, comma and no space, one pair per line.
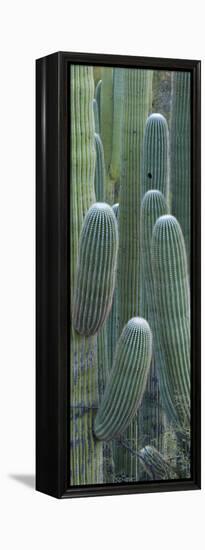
99,170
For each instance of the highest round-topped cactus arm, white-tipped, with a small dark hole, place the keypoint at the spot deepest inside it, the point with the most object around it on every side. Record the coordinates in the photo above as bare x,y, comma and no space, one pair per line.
155,163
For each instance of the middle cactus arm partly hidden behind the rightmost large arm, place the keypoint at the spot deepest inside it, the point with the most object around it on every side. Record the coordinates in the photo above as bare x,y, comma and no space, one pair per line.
150,415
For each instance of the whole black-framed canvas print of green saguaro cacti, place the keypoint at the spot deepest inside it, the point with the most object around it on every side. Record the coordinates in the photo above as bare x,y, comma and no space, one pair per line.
118,274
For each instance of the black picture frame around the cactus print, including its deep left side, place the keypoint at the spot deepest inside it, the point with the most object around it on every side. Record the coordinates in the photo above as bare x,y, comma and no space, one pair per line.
52,272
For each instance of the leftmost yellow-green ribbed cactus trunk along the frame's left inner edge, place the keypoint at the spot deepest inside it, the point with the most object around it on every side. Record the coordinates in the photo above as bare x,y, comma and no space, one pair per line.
86,454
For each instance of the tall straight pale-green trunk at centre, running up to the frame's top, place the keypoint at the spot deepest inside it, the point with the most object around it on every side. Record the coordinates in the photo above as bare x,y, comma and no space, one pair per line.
137,91
